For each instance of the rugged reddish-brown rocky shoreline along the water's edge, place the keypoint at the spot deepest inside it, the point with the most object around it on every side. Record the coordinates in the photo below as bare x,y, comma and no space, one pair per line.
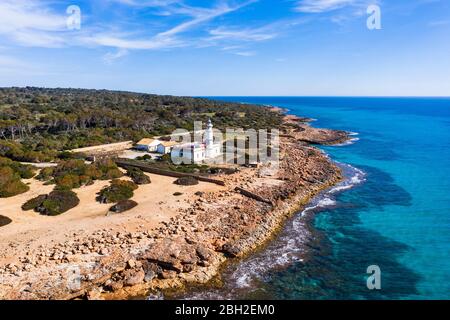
192,247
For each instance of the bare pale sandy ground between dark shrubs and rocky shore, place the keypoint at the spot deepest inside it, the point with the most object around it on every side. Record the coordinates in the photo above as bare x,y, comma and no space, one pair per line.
29,230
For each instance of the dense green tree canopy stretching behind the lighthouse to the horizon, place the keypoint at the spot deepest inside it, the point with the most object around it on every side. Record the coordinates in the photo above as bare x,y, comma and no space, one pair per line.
37,123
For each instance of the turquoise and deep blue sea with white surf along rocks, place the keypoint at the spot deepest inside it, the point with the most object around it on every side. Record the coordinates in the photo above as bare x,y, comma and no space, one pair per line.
392,211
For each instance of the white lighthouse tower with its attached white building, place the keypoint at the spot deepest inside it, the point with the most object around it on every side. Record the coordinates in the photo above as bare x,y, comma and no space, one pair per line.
197,152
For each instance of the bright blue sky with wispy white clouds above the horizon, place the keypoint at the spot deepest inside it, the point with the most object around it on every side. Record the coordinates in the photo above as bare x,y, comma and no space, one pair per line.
229,47
